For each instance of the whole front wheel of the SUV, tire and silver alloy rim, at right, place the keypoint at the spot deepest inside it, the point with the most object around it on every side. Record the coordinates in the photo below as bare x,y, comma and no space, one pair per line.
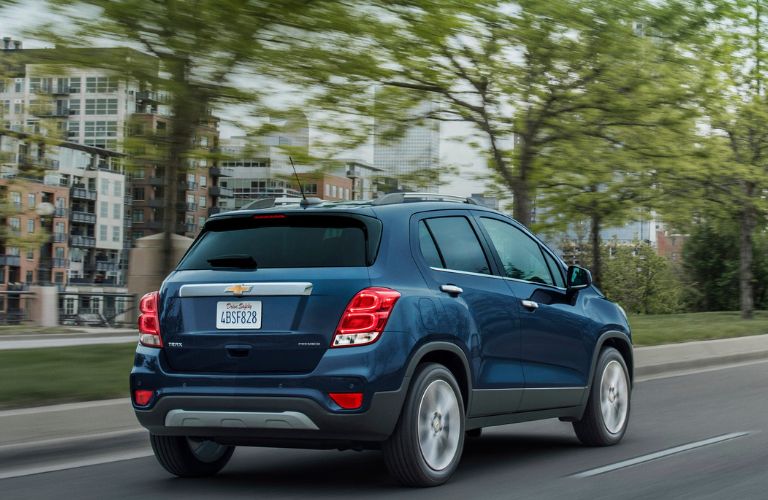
607,414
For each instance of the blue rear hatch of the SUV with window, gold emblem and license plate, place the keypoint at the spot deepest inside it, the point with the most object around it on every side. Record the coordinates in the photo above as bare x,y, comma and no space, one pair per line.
264,293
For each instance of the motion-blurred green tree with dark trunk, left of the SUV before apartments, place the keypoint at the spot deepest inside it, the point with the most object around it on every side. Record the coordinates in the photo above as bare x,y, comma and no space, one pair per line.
204,50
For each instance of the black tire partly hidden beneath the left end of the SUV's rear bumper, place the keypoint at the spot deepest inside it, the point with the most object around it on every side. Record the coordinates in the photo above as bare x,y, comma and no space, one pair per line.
176,455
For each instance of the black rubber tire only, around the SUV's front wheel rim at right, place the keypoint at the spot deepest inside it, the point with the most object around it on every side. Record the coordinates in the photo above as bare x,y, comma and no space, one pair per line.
592,429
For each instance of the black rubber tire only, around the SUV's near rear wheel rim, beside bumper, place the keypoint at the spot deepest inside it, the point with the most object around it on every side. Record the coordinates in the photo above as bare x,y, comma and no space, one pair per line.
403,453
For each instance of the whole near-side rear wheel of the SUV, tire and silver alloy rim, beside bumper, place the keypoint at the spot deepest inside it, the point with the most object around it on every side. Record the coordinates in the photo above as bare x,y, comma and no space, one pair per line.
426,447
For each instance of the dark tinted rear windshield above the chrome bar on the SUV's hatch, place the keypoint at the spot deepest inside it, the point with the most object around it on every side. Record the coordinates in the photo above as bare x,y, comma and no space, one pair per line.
285,241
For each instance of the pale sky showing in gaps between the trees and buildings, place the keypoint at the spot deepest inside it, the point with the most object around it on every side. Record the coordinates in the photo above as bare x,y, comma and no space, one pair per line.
454,145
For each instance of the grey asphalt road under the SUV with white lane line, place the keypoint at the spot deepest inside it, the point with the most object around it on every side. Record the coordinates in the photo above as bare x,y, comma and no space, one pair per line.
533,460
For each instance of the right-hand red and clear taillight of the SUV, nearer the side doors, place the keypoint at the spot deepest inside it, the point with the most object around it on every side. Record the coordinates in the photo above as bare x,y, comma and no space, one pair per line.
365,317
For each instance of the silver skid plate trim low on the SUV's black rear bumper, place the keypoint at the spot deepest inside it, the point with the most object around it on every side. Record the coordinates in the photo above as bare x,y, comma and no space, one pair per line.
240,419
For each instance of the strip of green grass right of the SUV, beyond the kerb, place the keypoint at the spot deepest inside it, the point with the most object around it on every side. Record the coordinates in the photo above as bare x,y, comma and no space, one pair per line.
673,328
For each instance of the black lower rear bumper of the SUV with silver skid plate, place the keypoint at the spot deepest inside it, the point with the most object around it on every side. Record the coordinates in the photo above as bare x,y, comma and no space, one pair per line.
273,421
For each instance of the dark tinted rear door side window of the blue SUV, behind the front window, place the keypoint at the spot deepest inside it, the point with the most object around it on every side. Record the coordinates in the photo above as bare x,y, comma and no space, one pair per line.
458,244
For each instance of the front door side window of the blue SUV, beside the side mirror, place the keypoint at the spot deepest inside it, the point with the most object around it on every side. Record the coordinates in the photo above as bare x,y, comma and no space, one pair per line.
521,256
